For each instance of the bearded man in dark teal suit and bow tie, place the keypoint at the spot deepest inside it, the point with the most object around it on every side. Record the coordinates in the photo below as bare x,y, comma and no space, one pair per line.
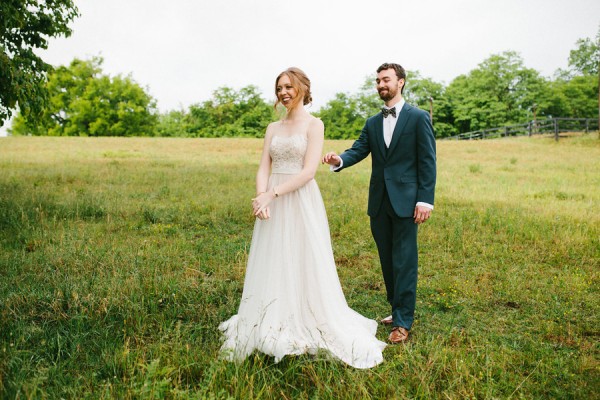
401,142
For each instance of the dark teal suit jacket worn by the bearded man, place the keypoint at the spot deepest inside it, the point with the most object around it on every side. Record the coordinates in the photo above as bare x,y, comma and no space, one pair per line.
407,169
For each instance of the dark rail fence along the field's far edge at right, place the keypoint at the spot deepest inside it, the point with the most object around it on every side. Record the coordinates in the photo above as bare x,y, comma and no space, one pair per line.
536,127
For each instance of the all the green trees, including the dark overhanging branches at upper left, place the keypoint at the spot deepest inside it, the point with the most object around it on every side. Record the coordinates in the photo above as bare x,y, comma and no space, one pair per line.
81,100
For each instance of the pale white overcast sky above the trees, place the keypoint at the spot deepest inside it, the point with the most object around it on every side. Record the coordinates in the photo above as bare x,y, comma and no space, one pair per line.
183,50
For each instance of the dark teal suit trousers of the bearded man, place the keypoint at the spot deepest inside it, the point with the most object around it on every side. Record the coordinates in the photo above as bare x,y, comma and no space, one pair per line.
396,240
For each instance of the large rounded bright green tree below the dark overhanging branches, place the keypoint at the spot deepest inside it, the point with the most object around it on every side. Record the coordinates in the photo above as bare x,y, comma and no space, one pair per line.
84,102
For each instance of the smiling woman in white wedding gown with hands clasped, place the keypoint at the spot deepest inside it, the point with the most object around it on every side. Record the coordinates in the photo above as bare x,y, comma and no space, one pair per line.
292,301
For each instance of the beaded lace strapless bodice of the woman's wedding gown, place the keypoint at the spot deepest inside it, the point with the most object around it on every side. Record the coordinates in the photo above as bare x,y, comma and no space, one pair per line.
287,153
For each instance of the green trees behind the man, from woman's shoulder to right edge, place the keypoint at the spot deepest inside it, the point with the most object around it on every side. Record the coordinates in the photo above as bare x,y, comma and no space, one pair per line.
500,91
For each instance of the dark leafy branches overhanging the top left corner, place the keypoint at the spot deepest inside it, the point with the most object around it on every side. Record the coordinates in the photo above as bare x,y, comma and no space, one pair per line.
27,25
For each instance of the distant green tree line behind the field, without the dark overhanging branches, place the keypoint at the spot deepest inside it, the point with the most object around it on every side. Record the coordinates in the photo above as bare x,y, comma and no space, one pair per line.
500,91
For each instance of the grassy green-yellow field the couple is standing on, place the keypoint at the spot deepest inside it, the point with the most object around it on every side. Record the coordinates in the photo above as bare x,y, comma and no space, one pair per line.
120,256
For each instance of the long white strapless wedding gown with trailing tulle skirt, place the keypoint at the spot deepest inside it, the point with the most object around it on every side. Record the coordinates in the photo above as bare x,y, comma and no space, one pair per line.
292,301
